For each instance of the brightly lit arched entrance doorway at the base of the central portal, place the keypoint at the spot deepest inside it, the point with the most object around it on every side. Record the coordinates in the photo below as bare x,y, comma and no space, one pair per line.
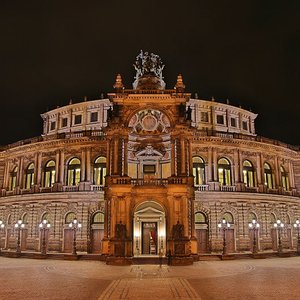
149,229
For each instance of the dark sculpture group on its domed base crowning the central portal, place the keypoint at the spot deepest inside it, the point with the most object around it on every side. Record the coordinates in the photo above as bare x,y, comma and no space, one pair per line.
149,69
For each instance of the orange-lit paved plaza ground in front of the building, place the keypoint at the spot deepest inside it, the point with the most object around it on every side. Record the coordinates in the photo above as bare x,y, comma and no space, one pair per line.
25,279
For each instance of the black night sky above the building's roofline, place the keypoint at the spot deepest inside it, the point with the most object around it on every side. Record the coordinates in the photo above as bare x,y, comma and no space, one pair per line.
246,51
